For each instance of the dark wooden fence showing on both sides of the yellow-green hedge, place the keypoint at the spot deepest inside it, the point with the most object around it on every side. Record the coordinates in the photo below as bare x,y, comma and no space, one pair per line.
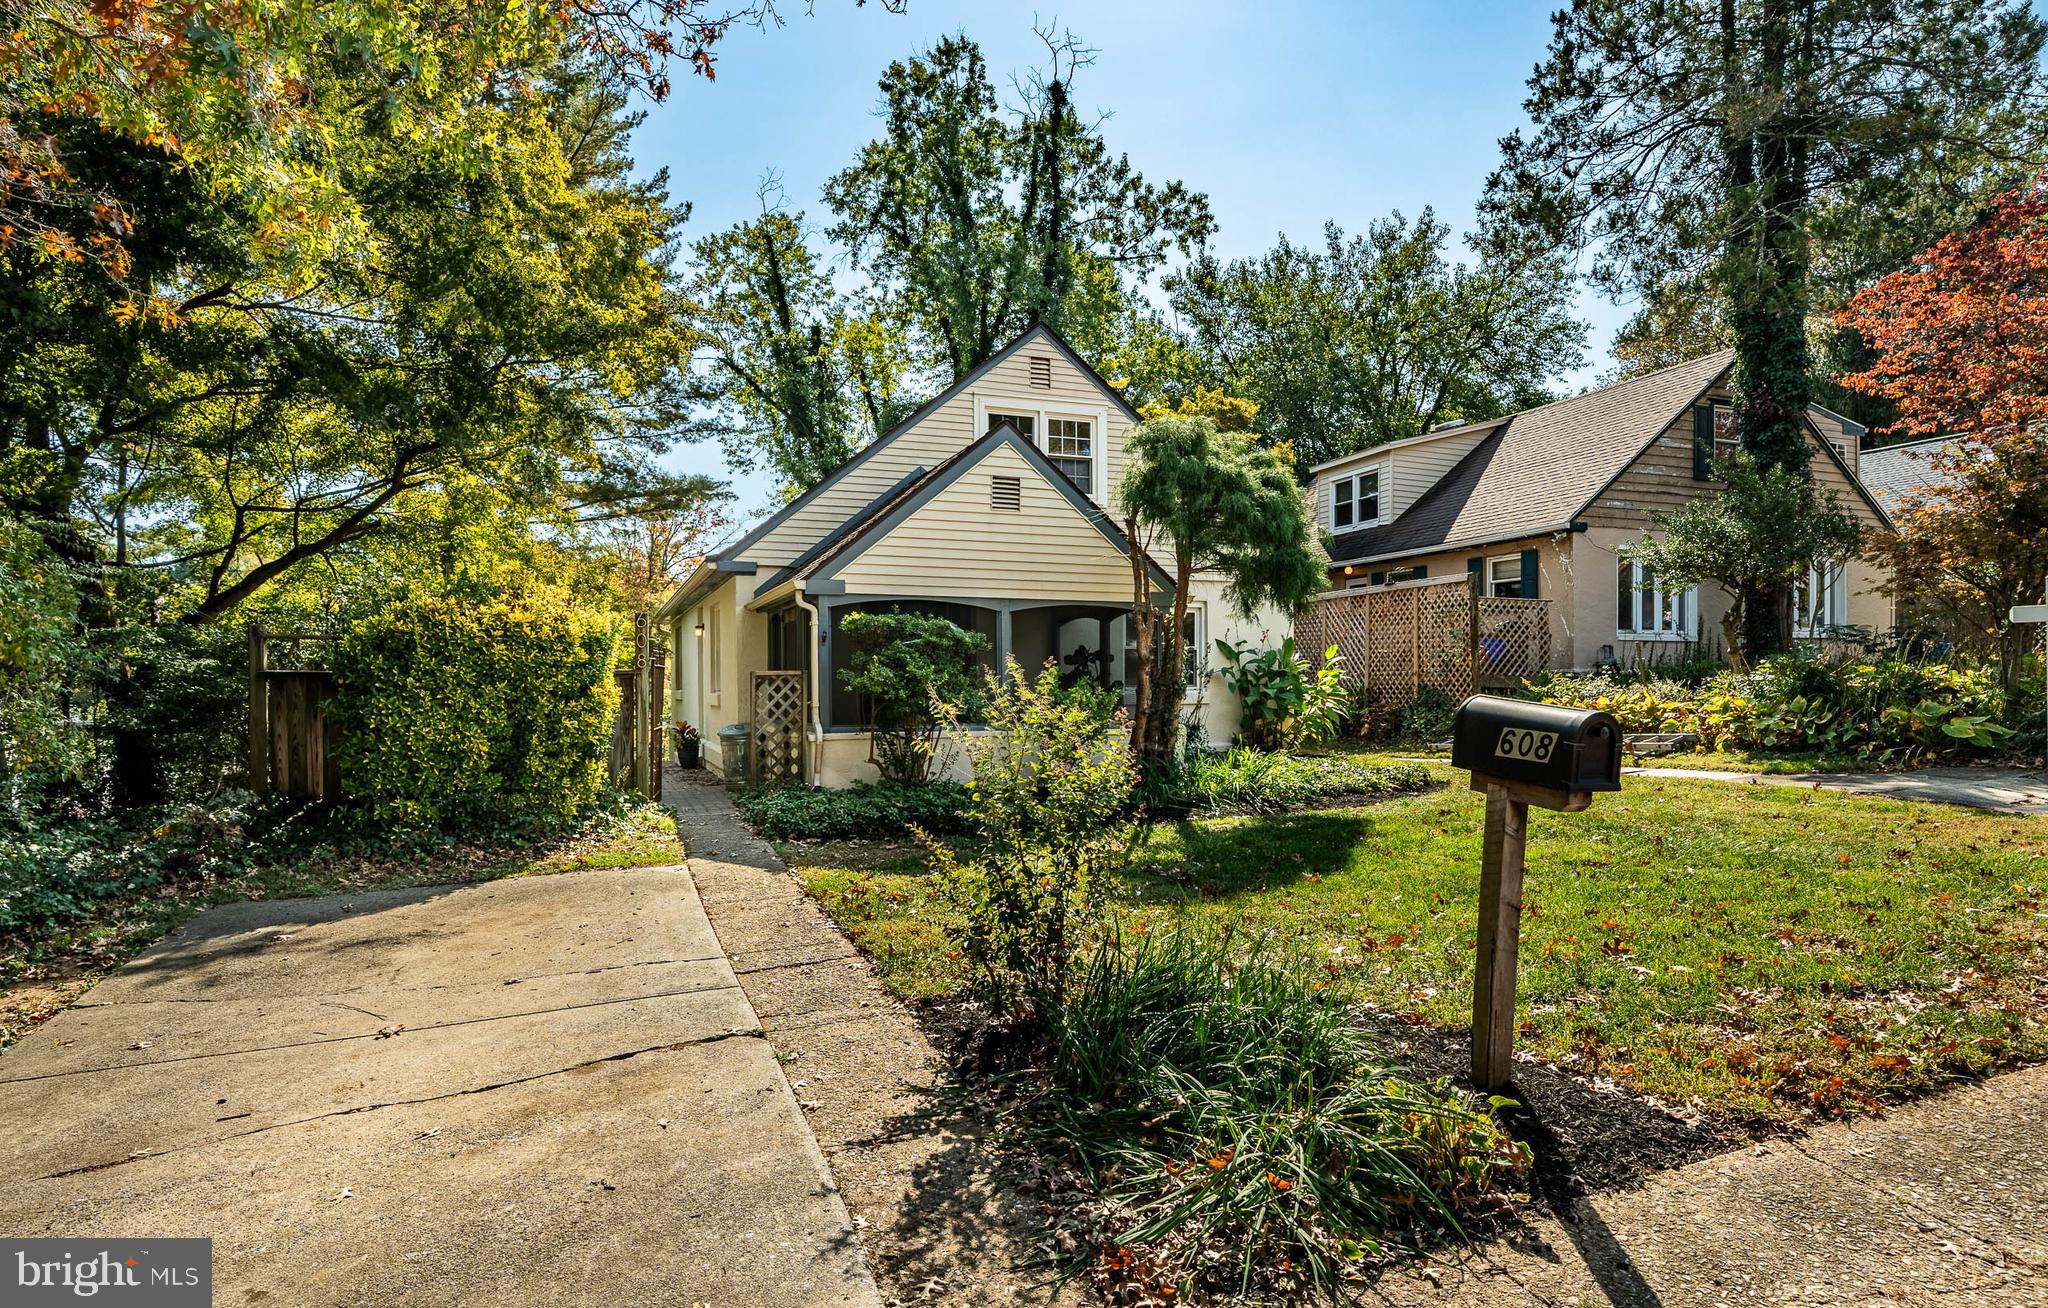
292,740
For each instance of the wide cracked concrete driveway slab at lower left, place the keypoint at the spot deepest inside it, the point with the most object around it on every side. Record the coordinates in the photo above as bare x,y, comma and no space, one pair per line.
529,1092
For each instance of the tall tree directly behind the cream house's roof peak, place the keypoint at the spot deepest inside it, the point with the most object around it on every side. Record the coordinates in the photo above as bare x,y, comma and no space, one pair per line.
982,220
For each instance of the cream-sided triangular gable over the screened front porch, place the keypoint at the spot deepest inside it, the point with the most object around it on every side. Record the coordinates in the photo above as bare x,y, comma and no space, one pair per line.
947,539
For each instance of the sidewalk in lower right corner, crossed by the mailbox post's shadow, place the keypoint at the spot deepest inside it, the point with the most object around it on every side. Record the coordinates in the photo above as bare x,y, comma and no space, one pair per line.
1943,1203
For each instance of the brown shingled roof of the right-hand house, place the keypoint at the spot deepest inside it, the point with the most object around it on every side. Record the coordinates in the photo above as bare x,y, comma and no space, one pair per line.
1543,468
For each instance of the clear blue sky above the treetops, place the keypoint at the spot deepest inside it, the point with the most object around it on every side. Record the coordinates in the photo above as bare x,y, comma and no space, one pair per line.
1283,114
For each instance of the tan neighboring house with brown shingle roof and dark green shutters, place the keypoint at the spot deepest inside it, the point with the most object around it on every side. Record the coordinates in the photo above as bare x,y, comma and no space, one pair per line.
1541,503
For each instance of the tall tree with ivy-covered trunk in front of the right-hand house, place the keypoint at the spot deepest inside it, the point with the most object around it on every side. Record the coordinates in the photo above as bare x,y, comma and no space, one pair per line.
1699,138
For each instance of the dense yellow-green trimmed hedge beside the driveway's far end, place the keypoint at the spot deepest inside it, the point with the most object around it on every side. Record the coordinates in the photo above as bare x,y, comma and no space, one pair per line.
476,715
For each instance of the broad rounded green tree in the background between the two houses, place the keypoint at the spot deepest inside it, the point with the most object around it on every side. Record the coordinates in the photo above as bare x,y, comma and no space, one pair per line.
1377,337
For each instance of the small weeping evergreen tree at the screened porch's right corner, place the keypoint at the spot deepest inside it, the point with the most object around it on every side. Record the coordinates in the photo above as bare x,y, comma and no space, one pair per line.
1220,503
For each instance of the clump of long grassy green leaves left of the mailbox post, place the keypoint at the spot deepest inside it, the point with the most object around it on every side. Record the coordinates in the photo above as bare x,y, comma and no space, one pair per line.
1242,1131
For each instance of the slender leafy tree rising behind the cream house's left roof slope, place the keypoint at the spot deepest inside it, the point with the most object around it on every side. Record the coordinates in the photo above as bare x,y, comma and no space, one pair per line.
796,374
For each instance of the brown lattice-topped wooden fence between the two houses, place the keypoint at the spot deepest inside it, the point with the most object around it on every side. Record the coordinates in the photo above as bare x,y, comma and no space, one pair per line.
1396,640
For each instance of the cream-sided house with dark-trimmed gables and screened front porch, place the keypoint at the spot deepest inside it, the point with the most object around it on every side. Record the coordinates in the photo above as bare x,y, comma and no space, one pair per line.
986,507
